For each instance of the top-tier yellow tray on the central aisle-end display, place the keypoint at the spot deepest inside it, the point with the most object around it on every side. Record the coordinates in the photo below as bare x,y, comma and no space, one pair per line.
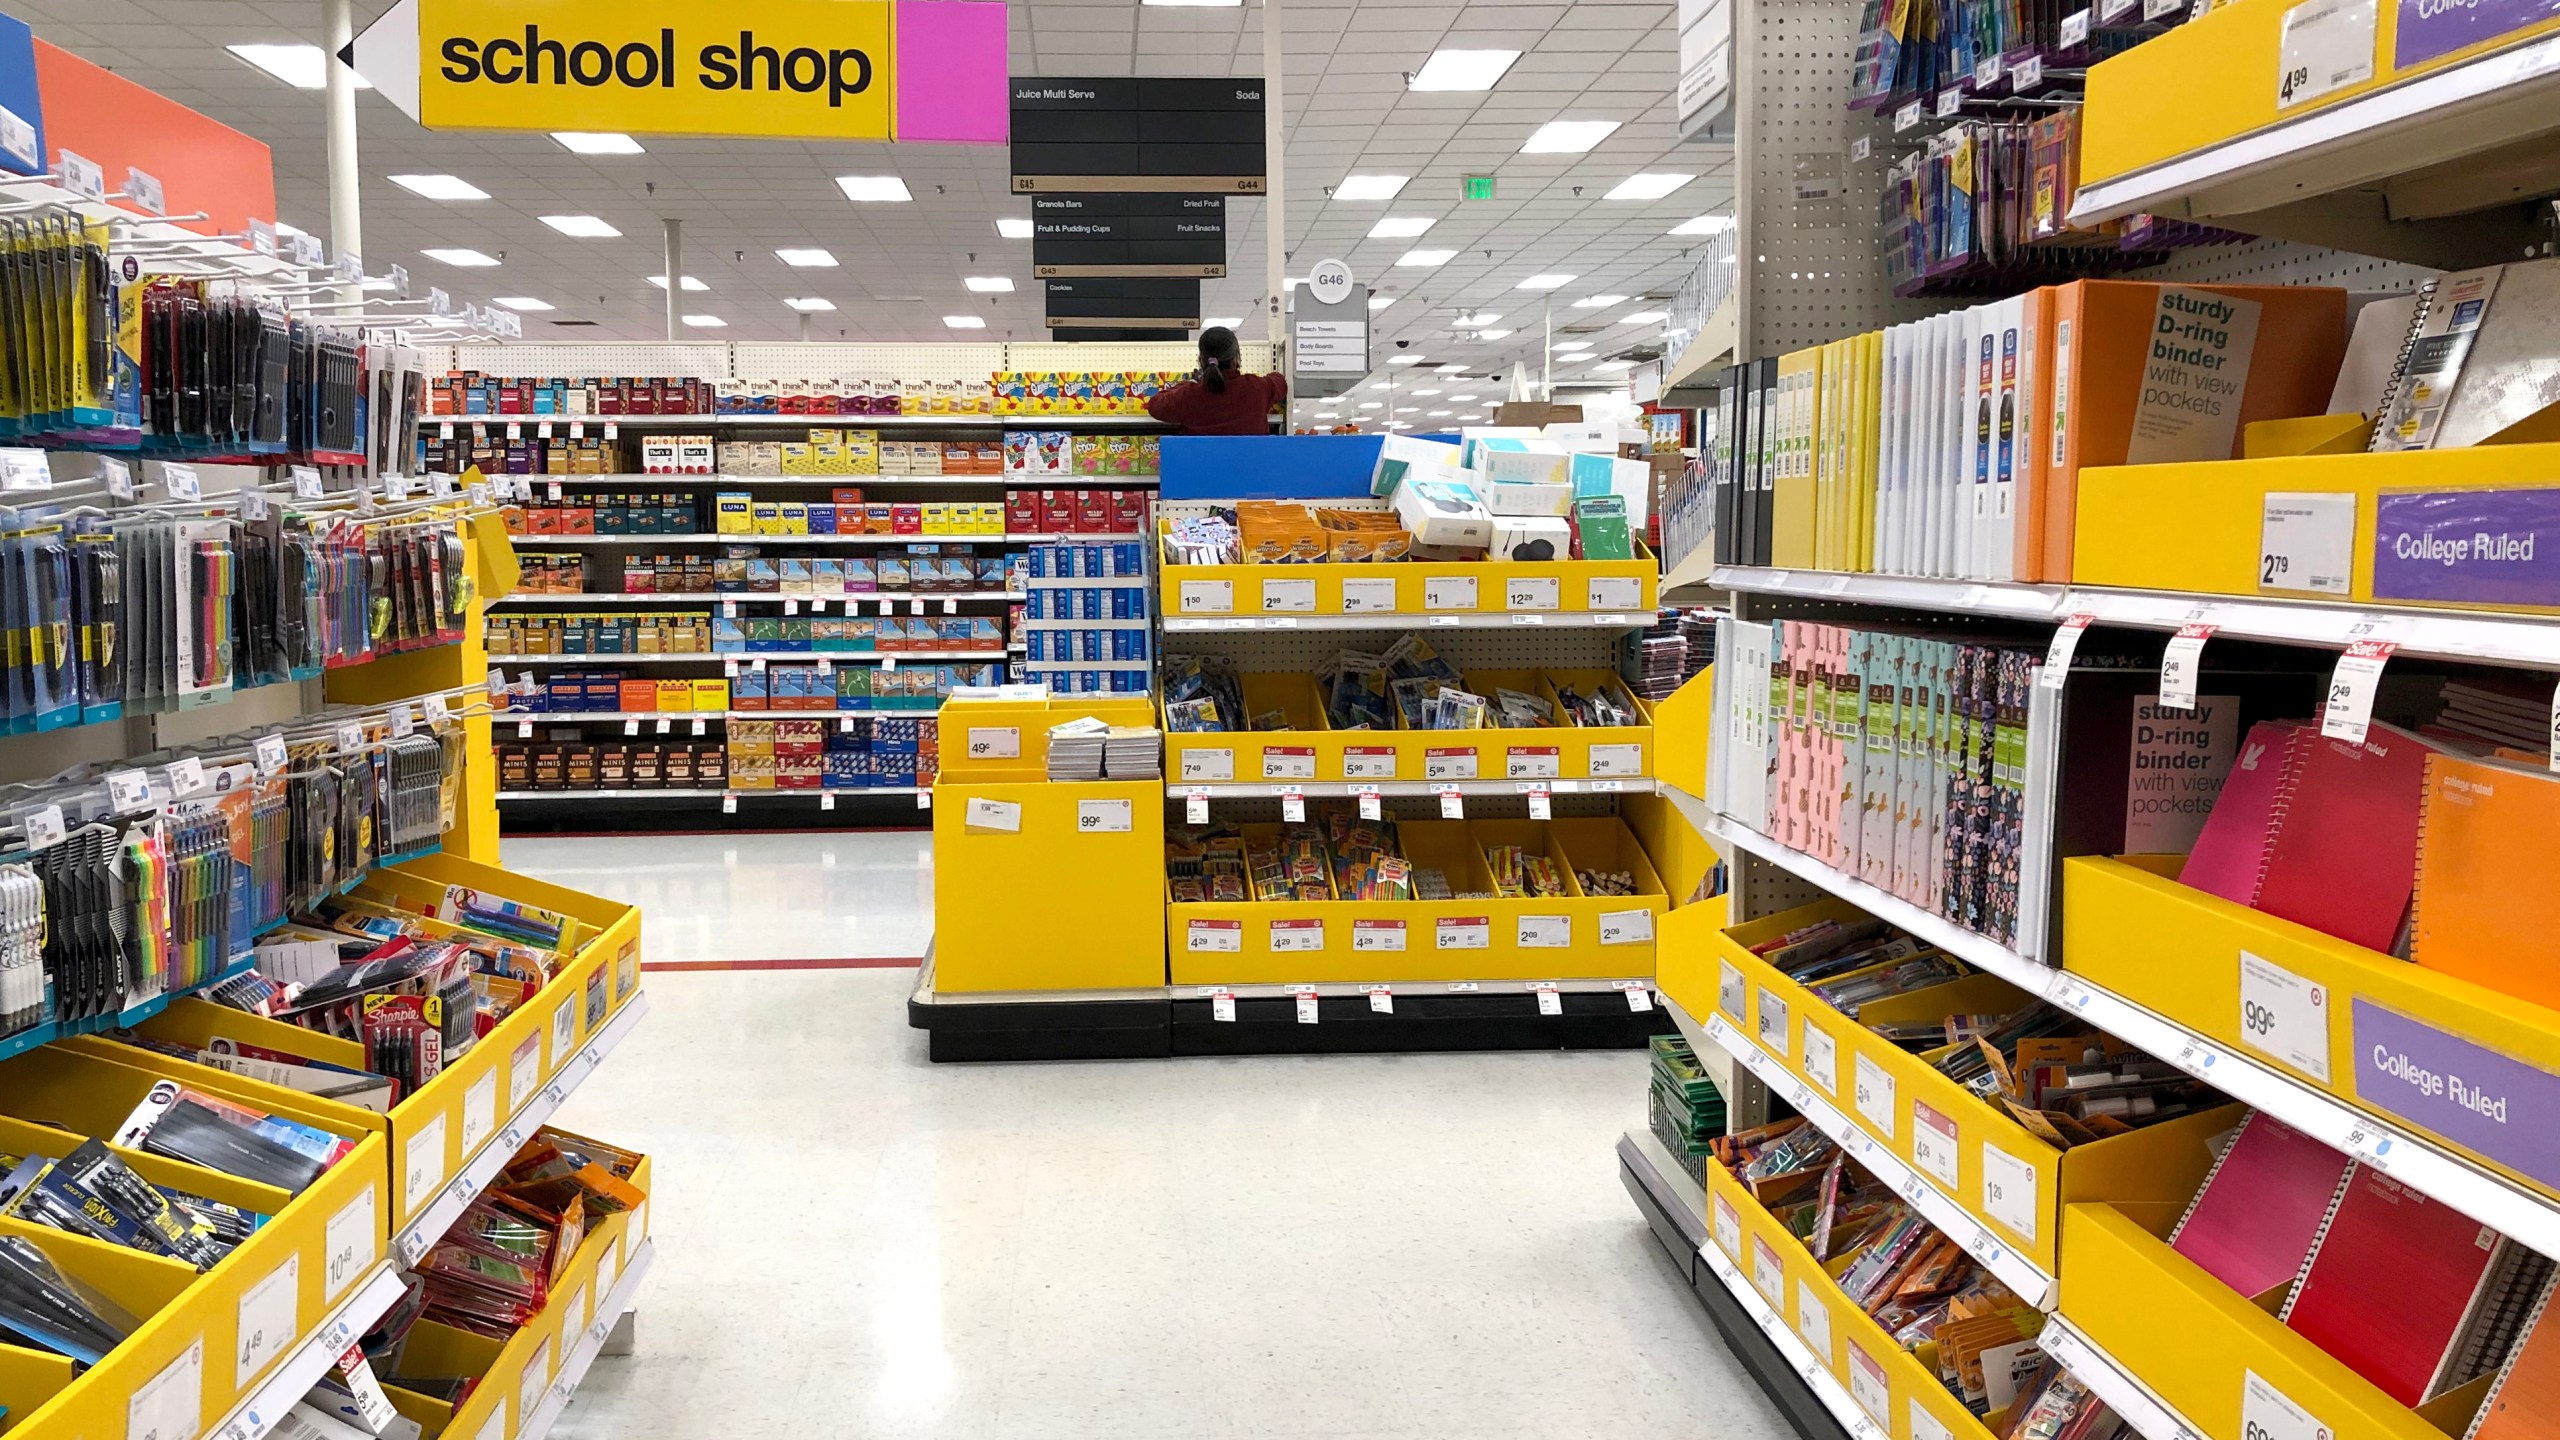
1409,588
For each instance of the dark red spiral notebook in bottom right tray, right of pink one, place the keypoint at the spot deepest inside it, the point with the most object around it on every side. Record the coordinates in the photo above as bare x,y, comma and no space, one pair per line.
2410,1293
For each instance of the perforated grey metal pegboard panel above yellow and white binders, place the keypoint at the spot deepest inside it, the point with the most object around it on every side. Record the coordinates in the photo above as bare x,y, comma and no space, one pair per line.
1809,211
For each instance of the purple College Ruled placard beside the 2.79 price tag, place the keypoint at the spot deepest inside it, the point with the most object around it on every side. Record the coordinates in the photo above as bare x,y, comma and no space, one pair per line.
2479,547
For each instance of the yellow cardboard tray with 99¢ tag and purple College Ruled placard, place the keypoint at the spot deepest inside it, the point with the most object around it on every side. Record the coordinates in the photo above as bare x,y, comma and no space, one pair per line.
2354,1024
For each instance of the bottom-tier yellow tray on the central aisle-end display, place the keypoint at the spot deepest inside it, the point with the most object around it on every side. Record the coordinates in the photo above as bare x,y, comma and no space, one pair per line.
1348,942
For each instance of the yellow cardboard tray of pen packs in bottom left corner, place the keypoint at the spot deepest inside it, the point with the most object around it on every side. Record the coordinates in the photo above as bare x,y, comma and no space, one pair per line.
204,1346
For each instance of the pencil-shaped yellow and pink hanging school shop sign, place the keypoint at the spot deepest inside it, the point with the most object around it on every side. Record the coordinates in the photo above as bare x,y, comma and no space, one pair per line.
823,70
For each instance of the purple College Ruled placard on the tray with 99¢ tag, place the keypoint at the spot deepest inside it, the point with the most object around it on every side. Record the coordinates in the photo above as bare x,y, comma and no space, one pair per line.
2477,1098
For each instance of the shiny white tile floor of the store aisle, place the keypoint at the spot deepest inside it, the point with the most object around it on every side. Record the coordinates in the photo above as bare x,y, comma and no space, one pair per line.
854,1241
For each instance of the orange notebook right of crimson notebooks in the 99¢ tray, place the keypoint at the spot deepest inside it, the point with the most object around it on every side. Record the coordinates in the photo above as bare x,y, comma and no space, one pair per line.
2487,908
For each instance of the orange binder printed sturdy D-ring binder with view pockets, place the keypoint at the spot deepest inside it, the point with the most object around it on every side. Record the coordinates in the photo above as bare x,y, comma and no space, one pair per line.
2108,334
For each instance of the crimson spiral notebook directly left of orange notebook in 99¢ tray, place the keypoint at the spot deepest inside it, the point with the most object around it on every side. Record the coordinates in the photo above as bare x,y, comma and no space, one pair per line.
2344,852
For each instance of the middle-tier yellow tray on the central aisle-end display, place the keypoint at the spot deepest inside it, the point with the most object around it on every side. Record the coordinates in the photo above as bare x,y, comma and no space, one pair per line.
1315,752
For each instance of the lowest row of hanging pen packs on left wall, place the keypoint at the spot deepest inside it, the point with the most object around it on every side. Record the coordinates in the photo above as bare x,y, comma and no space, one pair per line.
193,857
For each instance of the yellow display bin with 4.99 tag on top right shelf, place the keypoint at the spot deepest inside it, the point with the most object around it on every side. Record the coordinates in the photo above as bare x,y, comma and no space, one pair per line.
2216,81
